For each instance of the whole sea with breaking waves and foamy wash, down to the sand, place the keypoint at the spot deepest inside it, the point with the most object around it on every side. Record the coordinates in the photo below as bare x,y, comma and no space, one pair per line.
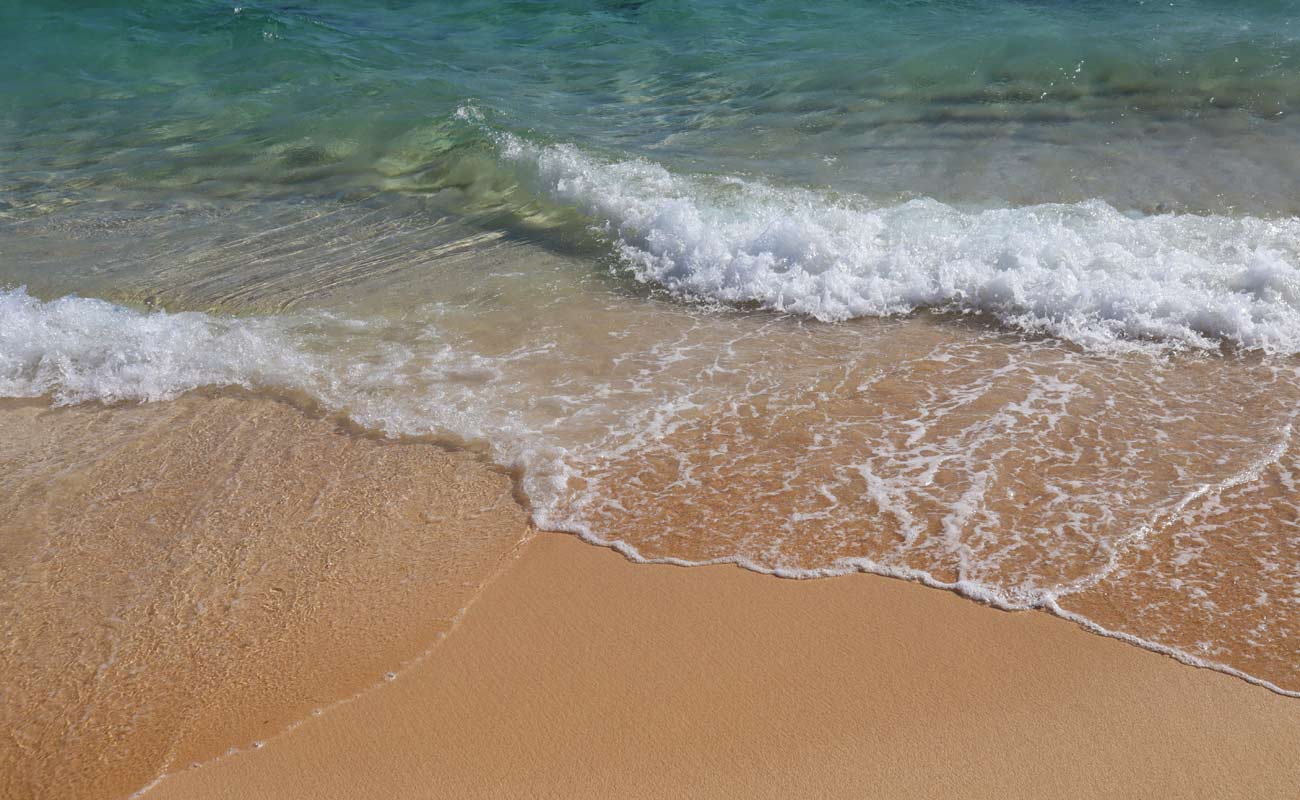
998,296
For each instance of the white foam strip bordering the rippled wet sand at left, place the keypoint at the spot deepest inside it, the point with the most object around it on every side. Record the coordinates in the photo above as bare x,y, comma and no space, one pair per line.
84,349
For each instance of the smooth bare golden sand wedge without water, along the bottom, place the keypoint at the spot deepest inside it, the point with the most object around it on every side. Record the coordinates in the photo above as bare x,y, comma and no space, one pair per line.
579,674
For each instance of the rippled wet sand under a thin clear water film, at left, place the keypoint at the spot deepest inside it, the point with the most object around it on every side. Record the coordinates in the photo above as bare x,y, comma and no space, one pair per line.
187,577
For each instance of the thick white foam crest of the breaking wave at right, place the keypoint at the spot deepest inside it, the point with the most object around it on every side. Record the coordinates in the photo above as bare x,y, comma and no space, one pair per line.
1085,273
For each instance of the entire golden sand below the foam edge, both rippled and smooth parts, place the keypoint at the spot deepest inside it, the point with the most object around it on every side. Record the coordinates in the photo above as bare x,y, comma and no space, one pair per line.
205,574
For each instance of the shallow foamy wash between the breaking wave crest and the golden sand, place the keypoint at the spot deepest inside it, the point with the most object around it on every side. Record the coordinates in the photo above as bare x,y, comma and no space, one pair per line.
952,456
